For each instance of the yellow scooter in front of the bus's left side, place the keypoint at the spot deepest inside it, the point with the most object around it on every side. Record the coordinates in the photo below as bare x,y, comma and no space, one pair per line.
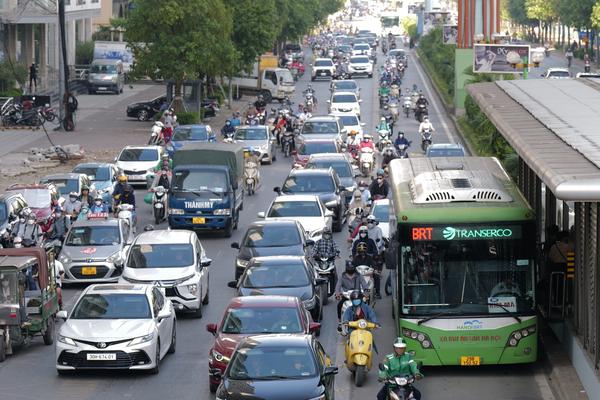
359,349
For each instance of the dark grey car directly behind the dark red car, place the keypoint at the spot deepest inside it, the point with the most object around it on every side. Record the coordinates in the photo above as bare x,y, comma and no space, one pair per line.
285,276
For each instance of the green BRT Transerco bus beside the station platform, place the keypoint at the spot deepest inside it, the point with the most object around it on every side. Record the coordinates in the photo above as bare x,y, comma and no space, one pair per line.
464,284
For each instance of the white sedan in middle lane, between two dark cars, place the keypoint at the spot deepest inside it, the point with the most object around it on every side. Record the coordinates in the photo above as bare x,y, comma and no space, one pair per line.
308,210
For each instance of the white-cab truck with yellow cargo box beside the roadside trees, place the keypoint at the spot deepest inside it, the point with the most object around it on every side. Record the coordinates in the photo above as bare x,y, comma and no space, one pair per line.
267,79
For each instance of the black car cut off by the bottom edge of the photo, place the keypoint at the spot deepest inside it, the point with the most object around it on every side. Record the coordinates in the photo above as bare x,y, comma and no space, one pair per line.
275,367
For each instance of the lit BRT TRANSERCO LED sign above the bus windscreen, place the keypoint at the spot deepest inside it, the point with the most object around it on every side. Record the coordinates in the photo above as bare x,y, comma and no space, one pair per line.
471,232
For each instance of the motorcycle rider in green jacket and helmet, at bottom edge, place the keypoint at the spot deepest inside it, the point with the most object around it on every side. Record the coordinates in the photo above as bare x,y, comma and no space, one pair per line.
399,363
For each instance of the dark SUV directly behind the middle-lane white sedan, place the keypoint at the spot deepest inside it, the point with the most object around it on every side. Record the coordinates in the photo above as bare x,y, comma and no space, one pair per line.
322,182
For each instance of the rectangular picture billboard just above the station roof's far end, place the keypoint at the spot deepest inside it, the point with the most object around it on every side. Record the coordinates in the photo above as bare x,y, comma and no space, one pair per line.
499,58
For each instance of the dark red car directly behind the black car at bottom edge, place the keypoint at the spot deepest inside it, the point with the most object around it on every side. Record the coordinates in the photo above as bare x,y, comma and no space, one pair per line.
254,315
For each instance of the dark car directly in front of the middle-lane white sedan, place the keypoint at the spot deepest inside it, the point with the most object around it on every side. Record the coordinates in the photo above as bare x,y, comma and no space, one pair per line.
270,238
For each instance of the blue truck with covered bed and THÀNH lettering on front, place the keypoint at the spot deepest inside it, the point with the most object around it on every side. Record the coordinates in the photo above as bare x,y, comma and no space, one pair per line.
206,191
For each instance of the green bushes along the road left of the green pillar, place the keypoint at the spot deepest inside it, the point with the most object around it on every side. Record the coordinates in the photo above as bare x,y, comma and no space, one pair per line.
440,56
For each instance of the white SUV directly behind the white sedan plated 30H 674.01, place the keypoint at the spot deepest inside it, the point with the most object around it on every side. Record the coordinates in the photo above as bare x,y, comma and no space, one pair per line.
174,261
